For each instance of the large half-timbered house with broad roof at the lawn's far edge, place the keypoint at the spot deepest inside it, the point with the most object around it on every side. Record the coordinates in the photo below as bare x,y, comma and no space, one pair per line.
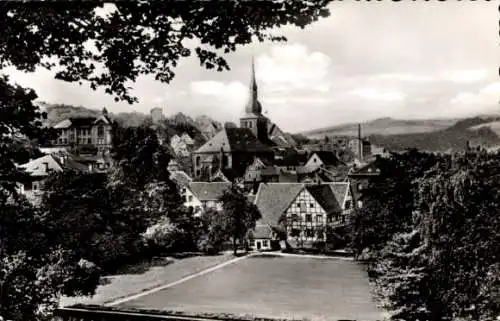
302,212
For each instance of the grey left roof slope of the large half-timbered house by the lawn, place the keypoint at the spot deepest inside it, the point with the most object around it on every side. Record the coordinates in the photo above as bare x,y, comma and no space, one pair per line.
273,199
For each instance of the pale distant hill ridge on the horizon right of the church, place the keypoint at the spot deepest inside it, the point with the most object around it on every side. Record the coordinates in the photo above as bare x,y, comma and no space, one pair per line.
383,126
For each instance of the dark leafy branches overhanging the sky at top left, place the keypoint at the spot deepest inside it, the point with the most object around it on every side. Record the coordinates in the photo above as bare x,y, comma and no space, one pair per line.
137,38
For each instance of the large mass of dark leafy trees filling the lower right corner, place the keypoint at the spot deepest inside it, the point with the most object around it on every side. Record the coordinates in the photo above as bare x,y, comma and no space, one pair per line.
441,264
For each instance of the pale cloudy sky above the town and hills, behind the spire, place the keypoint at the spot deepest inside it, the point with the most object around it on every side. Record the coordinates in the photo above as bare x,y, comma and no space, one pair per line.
408,60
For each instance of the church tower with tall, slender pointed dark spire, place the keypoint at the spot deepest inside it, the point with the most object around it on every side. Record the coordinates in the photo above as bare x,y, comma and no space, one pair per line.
253,118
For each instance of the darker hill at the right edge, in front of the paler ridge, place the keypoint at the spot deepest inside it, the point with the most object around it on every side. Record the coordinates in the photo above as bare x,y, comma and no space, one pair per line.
477,131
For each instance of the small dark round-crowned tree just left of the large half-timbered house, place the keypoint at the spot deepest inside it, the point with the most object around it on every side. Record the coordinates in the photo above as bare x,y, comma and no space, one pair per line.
239,215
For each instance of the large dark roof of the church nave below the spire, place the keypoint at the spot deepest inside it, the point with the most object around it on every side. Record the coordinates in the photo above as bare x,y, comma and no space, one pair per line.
234,139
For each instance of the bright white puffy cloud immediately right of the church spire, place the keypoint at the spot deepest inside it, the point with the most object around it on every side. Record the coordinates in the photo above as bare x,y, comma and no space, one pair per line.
292,66
